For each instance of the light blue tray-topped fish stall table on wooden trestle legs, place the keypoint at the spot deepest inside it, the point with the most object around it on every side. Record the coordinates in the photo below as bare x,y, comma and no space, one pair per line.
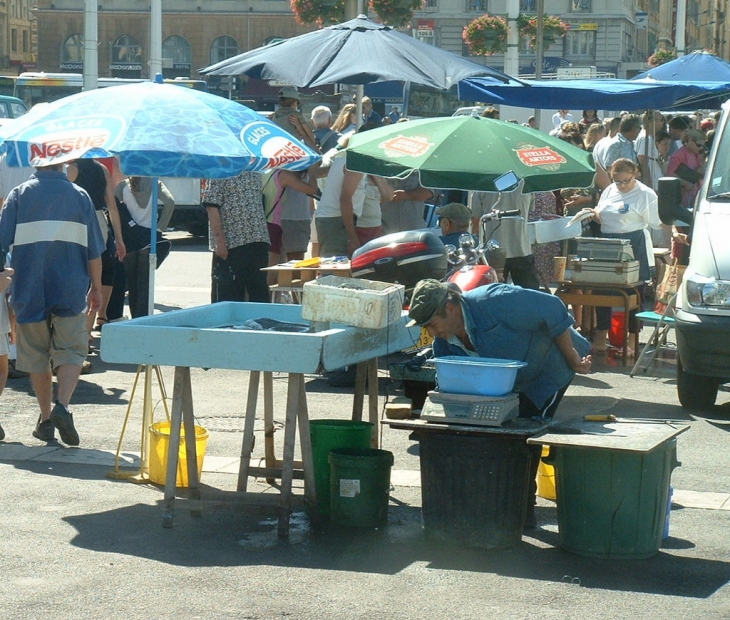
211,337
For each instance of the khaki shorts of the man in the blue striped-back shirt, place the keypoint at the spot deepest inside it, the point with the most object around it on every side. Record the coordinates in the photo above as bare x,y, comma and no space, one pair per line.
54,342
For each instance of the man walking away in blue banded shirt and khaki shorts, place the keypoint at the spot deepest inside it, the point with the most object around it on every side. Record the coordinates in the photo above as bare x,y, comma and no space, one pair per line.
50,226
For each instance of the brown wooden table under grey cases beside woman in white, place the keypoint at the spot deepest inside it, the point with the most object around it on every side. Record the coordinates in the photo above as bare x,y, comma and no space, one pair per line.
602,295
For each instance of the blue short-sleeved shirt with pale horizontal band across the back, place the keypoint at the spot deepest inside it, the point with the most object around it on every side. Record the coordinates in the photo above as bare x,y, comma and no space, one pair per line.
54,233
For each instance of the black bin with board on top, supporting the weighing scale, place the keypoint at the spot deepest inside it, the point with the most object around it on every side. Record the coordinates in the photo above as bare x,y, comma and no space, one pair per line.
474,479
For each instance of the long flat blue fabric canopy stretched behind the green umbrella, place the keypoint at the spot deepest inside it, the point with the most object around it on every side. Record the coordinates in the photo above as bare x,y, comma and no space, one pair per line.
592,94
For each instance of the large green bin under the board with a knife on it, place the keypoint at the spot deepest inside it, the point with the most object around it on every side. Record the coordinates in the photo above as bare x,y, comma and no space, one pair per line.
613,503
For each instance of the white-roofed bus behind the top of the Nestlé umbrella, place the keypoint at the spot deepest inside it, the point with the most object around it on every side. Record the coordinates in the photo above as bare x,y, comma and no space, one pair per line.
35,88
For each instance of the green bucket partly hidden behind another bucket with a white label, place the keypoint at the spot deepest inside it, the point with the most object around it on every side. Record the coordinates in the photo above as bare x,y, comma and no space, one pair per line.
328,435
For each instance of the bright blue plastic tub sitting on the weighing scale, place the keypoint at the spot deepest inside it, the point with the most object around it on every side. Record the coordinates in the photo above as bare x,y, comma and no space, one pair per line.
484,376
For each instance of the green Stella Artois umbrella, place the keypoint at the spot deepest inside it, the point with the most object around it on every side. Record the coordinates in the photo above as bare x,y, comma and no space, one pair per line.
468,153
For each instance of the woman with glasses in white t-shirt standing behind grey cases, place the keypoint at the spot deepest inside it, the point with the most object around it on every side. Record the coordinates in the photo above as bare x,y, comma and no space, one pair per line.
626,210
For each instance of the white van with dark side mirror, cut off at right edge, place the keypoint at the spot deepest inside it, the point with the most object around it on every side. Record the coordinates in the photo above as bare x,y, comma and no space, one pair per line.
702,319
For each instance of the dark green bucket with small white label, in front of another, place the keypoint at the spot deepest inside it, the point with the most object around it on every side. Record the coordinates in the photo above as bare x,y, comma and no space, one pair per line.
360,486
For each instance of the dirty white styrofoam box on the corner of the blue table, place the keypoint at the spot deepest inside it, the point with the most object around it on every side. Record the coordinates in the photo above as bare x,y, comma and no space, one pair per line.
350,301
